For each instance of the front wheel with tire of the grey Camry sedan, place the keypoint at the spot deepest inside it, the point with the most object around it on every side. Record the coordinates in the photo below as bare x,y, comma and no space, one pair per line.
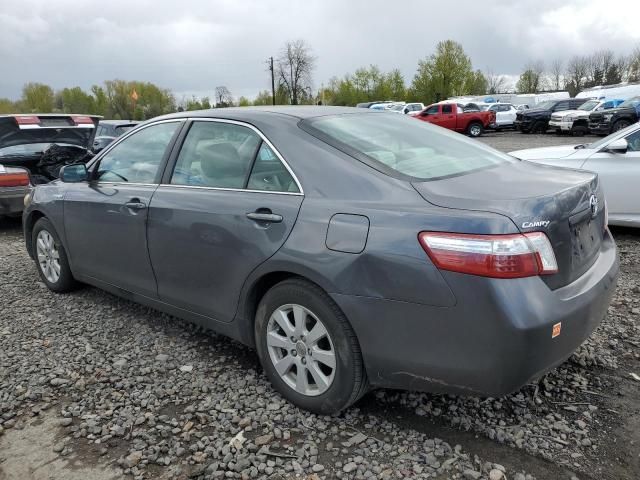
51,258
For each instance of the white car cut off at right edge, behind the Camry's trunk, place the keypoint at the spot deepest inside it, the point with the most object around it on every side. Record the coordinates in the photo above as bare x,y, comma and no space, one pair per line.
616,160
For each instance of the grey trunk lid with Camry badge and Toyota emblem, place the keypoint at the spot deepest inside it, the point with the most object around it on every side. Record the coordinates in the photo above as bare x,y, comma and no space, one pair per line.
558,202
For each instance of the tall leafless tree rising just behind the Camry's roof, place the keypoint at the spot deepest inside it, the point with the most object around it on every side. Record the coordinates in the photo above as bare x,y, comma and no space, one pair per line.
295,66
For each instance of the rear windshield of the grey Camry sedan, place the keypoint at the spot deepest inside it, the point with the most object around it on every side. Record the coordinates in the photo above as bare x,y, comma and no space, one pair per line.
401,146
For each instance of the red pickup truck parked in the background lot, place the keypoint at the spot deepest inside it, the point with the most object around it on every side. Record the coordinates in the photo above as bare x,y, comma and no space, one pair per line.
453,117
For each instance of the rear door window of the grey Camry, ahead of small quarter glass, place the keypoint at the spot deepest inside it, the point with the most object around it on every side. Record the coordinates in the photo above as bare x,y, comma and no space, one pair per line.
216,154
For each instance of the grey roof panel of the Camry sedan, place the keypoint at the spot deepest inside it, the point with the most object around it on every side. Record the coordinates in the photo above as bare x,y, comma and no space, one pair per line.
249,113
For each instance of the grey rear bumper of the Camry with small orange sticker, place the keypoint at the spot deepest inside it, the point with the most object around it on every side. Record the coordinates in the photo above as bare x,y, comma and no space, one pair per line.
495,339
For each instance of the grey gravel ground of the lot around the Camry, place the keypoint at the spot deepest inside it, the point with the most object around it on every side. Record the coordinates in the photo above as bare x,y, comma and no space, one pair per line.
93,386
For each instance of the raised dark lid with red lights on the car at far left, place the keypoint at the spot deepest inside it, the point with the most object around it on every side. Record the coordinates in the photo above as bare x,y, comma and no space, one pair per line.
53,129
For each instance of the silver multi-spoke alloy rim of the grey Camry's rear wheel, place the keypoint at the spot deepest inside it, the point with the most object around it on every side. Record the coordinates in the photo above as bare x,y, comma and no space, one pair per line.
301,349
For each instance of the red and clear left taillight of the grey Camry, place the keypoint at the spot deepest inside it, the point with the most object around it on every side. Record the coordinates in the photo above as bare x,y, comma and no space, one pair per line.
497,256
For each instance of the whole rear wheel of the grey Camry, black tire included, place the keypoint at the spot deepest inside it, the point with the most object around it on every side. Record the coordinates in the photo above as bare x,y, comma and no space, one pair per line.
288,316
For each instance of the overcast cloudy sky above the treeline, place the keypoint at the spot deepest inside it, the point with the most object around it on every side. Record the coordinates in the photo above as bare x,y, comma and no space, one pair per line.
191,46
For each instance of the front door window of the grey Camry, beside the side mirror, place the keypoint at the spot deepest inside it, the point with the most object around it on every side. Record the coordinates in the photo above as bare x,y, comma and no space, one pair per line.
138,157
